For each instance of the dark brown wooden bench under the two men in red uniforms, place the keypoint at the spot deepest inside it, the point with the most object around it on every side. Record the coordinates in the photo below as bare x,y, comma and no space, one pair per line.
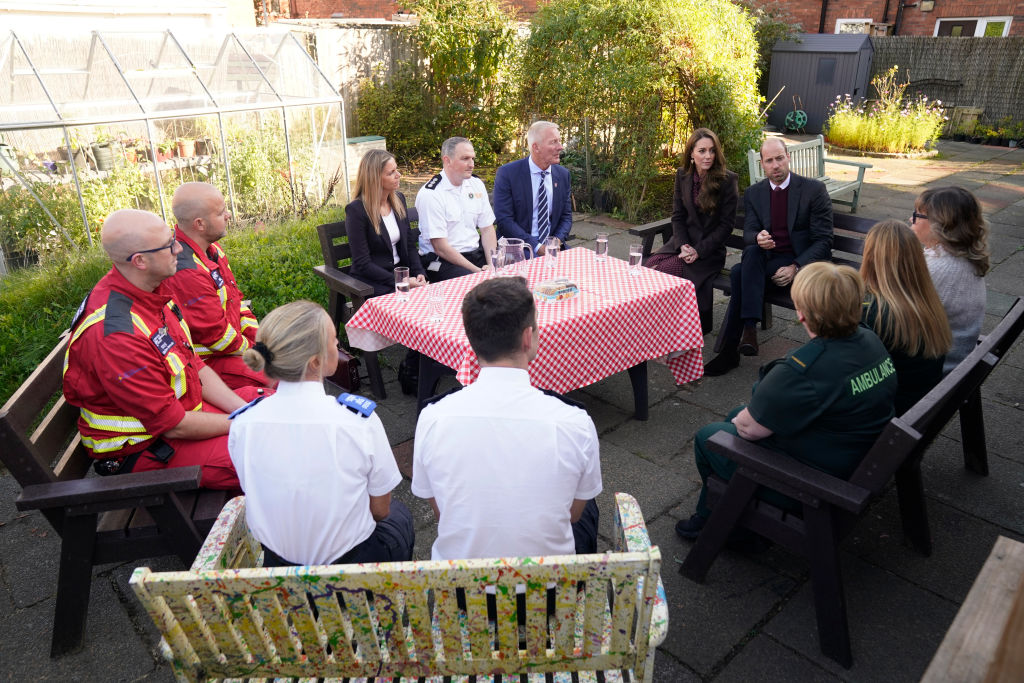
100,520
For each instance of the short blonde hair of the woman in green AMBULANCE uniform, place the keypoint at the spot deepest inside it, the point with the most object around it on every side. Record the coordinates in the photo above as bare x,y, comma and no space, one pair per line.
830,298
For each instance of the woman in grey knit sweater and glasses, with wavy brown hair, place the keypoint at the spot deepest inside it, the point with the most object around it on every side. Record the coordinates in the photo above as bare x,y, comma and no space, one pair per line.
950,225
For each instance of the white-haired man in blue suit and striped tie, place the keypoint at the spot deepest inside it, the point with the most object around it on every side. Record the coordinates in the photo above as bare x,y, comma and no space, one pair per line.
532,196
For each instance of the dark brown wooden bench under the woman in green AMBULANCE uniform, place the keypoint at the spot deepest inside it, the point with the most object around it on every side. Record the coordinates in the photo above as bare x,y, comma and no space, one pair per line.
829,507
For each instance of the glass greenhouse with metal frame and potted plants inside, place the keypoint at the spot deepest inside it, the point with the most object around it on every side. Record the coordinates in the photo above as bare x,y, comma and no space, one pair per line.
105,121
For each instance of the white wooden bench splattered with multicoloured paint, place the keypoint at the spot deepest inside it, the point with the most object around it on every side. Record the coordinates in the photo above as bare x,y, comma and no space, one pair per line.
230,618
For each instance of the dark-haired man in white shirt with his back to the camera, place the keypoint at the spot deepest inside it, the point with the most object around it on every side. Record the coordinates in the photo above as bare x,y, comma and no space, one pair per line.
510,471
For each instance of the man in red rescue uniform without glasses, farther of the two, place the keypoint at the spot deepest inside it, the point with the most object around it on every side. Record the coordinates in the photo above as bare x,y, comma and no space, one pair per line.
204,286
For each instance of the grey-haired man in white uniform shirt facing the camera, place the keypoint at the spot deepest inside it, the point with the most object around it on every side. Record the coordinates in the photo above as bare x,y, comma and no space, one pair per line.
457,225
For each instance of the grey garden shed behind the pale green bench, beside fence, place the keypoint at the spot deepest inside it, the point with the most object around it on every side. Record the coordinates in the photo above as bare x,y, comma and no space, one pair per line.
815,70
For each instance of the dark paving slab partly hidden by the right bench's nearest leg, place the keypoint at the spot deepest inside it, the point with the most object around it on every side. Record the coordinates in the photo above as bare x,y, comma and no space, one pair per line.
894,625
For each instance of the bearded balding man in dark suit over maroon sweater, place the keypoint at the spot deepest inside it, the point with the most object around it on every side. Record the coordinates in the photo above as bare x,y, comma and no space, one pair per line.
788,224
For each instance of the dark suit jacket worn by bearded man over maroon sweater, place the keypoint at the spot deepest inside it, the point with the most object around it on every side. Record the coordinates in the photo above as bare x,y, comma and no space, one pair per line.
809,218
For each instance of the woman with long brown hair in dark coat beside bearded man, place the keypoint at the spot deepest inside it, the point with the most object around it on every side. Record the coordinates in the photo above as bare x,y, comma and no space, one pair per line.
703,217
